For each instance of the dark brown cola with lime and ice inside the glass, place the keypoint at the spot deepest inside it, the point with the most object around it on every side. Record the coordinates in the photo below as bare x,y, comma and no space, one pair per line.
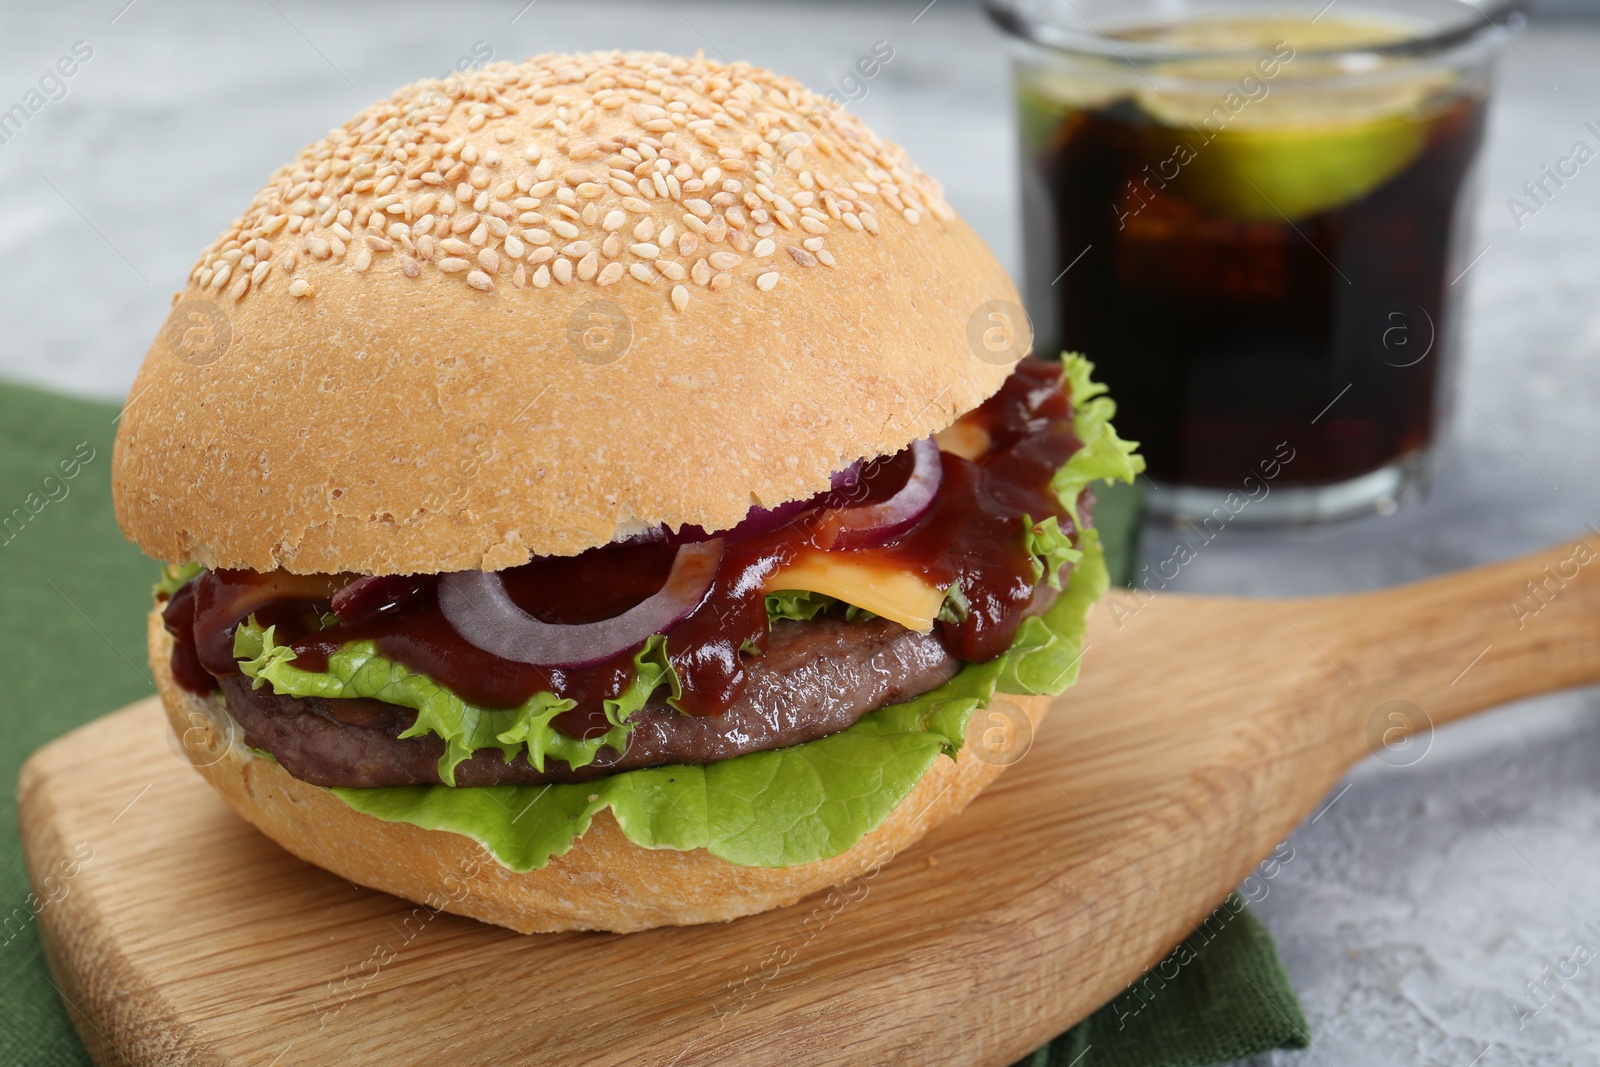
1258,263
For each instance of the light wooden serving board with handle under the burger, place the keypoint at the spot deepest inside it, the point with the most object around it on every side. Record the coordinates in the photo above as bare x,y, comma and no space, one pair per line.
1202,732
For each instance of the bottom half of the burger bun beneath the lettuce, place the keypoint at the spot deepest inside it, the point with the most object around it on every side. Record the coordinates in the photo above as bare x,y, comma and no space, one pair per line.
606,882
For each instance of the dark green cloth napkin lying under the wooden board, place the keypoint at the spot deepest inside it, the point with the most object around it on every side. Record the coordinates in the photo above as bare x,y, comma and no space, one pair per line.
73,604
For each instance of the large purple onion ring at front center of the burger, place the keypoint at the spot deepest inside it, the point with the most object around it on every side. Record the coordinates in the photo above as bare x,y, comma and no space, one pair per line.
484,613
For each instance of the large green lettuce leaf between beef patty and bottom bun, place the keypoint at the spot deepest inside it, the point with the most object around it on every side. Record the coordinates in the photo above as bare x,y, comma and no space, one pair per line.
814,801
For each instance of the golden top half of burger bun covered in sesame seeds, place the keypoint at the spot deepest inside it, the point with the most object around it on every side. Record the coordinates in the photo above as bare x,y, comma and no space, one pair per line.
545,306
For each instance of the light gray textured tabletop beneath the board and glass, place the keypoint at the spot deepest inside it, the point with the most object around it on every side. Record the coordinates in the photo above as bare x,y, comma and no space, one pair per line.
1425,898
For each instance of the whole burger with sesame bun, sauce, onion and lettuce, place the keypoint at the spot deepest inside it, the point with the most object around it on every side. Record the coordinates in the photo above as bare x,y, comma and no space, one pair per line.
607,492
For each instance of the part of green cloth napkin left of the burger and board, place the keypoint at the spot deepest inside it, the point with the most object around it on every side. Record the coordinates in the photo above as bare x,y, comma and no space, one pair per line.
73,602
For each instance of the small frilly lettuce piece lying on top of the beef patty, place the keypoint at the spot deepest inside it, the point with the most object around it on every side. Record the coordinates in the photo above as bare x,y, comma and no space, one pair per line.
359,671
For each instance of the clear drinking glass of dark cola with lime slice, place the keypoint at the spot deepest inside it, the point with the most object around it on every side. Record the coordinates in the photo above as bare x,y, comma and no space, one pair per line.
1255,220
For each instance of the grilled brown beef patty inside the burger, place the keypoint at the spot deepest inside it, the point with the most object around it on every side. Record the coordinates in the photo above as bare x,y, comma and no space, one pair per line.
815,679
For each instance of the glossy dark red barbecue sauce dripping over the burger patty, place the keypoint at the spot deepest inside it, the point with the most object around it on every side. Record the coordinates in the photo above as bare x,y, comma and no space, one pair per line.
972,537
